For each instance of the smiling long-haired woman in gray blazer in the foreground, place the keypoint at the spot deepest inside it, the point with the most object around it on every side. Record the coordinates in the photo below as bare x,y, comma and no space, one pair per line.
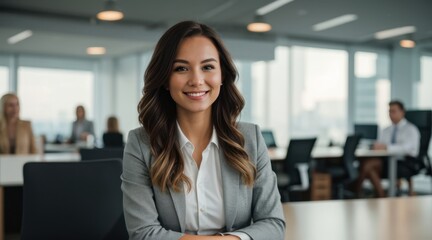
192,171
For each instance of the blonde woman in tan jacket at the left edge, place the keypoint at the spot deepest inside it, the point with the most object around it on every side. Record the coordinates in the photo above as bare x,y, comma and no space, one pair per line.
16,135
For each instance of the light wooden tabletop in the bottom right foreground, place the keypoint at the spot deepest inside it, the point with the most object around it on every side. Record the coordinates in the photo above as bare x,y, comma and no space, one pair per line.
405,218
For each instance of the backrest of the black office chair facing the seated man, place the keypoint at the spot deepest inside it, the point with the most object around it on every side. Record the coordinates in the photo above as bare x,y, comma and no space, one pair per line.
349,155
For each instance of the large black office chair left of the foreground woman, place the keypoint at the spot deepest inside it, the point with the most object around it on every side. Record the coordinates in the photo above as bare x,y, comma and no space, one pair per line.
73,200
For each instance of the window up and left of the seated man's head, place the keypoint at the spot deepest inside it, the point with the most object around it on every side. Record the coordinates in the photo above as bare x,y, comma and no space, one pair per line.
372,88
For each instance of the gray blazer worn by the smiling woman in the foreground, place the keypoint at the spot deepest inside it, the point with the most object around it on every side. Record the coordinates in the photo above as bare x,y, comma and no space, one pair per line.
153,214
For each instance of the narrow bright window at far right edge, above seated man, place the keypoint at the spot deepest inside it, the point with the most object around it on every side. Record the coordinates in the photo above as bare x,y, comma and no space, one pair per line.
424,96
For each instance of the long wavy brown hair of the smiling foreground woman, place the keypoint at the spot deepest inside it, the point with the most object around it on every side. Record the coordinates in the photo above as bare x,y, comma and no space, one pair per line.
157,110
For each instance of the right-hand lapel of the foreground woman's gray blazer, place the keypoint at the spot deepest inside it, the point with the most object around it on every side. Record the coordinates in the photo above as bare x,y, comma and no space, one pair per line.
230,185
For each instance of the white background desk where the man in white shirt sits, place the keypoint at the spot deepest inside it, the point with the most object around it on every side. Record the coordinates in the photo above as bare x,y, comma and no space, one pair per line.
322,153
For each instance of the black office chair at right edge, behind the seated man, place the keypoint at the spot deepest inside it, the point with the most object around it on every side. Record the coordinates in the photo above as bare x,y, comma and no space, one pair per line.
422,119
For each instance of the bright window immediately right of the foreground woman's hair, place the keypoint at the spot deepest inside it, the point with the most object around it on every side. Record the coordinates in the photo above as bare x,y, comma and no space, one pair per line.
265,87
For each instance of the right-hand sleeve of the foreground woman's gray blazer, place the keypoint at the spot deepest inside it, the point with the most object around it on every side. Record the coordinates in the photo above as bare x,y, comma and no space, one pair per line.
267,213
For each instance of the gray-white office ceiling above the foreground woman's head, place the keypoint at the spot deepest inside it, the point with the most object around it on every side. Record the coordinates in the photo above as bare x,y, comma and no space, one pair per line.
67,27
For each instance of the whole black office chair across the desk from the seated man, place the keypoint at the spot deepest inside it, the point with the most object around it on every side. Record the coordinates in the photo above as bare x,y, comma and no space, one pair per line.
345,173
